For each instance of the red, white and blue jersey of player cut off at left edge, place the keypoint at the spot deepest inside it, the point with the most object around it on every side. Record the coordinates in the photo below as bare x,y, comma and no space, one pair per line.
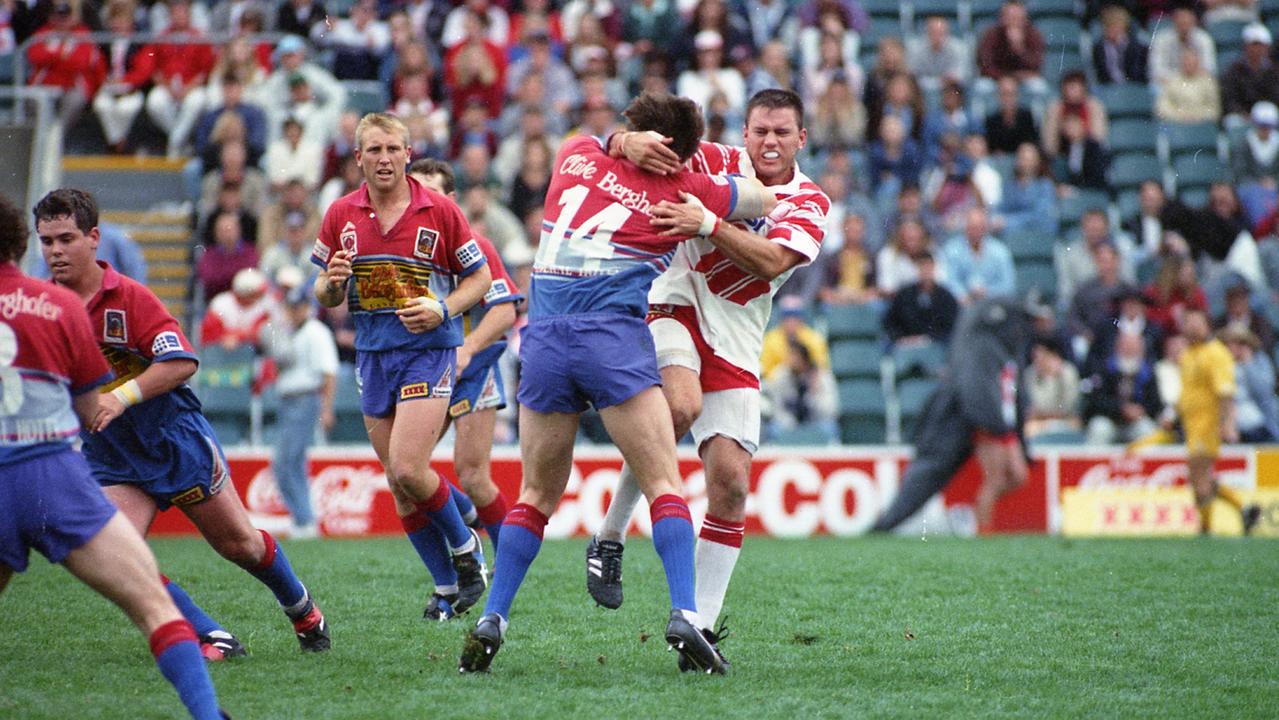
48,355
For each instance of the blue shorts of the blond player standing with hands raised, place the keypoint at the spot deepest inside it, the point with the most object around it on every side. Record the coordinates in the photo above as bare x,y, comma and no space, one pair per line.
388,378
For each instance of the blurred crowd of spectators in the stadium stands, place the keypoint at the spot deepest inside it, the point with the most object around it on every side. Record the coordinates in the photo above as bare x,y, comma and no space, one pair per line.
1116,163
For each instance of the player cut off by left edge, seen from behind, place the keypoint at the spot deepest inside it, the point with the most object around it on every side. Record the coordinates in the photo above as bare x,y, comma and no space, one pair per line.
49,372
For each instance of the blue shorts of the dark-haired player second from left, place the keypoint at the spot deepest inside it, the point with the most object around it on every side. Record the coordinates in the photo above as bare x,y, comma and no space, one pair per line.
182,465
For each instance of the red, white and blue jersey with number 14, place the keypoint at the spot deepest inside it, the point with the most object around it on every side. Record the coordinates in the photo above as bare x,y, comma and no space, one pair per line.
598,251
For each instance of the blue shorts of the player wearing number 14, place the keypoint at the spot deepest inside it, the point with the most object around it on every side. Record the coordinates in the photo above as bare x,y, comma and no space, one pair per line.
575,361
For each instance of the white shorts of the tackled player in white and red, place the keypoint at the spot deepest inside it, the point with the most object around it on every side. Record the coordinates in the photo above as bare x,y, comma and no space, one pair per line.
732,412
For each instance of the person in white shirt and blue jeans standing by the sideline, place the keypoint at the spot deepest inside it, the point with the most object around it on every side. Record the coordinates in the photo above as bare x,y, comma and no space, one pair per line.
306,357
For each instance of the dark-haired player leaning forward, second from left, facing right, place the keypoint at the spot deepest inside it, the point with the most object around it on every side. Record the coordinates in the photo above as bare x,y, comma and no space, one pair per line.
149,446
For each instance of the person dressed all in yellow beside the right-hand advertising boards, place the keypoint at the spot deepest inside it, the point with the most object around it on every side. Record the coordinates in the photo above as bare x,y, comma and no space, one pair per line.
1207,409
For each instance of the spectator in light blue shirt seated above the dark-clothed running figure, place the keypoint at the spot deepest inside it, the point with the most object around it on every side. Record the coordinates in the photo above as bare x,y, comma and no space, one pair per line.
978,264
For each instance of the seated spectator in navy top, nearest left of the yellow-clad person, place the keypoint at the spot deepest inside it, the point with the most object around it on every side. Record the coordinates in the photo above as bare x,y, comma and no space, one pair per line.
1122,401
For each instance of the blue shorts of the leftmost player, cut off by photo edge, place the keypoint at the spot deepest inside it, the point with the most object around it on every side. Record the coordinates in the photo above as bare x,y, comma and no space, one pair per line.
49,503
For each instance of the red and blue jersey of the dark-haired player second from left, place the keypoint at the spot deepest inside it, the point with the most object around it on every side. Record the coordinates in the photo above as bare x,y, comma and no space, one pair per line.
134,331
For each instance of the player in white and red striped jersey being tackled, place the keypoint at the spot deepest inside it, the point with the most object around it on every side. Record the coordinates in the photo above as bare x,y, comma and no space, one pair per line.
708,319
